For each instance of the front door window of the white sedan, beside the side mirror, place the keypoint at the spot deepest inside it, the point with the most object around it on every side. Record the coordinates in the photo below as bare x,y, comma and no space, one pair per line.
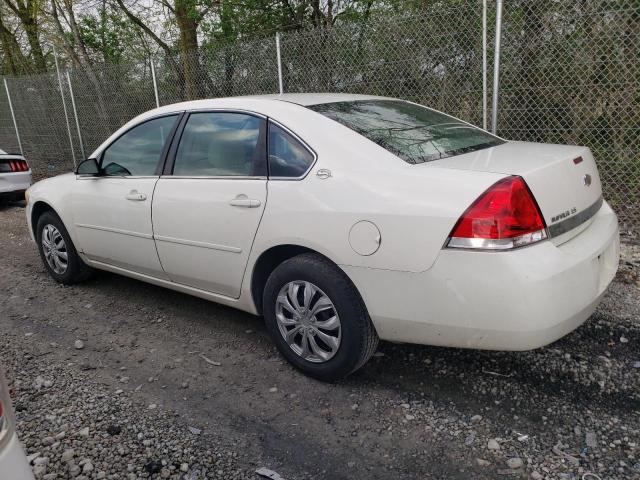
138,151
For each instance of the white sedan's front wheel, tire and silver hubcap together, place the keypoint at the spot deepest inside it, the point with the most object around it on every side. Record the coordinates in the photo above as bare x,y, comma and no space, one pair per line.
57,251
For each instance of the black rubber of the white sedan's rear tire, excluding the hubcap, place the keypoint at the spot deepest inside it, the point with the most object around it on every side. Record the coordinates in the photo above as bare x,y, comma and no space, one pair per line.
359,339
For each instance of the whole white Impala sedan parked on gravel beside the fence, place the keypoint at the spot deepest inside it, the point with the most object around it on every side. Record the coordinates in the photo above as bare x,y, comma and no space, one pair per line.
342,219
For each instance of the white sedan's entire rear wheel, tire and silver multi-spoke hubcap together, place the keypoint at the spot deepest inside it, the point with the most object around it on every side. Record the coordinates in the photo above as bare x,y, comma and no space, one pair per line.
317,318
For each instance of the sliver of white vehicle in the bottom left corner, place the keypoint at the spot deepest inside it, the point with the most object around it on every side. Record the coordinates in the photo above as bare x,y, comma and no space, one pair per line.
13,462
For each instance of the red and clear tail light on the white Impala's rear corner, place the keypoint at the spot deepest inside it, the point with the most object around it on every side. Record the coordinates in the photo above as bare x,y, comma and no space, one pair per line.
505,216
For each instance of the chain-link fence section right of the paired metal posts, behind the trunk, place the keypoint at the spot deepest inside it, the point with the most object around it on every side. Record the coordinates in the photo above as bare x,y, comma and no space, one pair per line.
570,73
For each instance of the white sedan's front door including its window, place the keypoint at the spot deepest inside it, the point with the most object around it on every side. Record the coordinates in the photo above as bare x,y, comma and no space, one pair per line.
112,211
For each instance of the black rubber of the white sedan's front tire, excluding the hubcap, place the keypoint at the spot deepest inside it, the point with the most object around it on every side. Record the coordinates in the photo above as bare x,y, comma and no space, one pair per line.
77,270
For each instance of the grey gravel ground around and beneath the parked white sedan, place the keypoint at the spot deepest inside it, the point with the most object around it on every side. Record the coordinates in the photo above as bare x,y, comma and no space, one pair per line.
170,386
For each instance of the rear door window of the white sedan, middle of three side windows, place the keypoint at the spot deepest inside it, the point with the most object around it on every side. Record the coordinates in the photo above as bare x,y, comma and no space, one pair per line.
220,144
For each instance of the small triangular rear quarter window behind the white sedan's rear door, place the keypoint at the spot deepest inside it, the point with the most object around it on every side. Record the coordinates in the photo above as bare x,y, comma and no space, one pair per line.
287,156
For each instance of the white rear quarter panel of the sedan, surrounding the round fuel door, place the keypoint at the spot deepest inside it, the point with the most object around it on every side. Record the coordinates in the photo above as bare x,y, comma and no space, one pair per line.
414,207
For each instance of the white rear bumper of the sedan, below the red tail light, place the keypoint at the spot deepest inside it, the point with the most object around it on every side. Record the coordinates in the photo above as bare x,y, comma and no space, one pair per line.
517,300
